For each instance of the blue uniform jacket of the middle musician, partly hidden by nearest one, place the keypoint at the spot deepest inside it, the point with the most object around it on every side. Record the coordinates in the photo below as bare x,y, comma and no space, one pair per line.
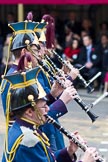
55,137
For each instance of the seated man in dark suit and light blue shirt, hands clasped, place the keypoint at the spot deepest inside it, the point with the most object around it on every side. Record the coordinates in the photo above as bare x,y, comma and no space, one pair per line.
90,57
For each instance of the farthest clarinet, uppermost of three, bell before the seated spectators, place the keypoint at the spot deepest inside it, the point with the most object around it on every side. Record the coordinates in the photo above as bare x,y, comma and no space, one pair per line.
91,89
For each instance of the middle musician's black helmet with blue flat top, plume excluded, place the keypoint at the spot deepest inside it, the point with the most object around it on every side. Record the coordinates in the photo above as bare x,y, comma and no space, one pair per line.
23,35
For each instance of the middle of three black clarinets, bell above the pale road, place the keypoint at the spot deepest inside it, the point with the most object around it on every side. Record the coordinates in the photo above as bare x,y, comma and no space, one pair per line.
80,102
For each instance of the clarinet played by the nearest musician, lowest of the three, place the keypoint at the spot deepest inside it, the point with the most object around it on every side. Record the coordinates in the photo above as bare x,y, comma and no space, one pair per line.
69,135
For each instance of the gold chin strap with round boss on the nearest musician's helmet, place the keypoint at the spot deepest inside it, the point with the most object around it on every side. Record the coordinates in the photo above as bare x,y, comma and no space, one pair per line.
37,112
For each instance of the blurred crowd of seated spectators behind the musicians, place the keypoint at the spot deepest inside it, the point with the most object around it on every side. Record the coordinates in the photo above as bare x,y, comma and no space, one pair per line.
75,41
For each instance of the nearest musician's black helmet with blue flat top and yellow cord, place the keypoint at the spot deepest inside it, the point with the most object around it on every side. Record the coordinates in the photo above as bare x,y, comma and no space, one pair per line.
25,89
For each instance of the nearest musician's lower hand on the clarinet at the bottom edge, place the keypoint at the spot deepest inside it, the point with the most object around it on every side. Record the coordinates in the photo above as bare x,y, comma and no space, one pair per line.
90,155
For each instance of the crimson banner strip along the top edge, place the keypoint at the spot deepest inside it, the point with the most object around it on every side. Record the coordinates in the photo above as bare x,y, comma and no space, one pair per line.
62,2
